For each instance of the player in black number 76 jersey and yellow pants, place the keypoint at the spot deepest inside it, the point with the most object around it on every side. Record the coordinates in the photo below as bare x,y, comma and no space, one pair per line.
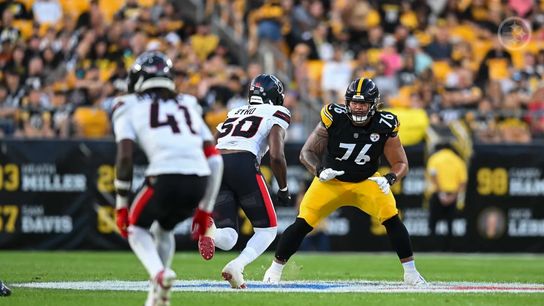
354,136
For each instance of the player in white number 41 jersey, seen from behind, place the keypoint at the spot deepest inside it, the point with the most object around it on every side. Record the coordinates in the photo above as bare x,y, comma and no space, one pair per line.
184,170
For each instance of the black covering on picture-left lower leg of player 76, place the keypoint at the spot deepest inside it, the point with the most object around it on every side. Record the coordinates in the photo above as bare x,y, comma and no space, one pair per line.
291,239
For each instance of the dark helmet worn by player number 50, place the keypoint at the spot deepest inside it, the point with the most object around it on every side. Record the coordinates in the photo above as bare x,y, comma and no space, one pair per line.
266,89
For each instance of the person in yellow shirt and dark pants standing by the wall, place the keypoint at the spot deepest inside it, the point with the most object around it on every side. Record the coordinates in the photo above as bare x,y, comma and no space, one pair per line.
447,175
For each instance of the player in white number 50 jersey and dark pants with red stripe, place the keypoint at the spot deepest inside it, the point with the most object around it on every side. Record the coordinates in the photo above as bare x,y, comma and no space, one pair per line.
243,139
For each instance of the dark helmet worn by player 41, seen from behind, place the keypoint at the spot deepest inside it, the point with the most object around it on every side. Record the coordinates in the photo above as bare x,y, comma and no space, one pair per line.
151,69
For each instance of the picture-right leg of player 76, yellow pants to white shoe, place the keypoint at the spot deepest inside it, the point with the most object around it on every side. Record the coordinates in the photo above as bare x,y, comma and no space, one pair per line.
383,206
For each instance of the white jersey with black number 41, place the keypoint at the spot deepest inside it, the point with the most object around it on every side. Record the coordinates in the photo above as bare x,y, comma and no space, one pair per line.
171,133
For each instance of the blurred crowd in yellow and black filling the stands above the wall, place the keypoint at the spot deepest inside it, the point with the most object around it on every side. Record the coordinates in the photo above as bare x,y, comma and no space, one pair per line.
63,61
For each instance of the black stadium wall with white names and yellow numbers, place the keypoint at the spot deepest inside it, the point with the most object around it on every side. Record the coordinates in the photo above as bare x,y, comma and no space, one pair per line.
59,195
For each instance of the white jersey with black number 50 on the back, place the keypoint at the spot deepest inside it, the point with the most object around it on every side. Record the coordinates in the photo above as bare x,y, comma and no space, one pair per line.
247,127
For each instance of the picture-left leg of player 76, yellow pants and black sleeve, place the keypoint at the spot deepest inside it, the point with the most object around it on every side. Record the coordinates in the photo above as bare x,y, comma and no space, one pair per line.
320,200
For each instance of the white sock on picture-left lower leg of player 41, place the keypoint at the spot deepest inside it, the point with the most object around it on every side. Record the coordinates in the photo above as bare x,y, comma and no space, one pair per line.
143,246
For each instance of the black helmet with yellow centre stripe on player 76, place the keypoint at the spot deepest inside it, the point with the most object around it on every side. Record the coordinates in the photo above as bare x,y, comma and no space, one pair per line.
362,90
